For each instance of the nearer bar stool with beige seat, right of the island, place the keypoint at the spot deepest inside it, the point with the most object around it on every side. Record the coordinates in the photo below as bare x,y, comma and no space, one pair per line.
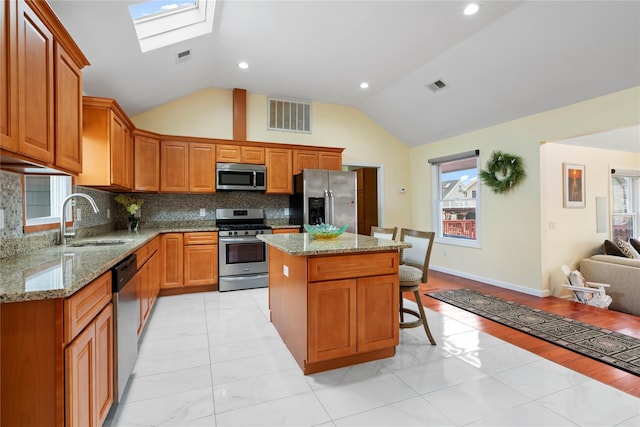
414,265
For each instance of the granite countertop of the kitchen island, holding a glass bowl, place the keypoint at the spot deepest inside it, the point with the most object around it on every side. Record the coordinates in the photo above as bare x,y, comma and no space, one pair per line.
302,244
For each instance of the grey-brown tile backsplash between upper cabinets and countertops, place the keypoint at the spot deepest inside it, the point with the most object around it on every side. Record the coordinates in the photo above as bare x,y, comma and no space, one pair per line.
158,211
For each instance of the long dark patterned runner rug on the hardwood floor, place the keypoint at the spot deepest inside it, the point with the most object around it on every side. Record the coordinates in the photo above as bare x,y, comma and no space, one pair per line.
612,348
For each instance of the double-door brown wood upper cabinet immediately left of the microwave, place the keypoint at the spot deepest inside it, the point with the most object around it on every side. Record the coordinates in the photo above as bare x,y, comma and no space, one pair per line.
187,167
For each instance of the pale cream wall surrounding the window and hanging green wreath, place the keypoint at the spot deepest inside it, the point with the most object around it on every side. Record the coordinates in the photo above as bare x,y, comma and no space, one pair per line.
512,237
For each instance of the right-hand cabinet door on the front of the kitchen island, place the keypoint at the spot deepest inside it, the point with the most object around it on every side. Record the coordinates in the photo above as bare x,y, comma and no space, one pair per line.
378,312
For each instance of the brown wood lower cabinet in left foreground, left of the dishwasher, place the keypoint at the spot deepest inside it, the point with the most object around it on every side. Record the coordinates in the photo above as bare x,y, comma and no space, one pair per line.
56,359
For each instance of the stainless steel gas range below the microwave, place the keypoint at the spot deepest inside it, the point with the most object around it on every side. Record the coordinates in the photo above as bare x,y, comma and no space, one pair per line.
242,257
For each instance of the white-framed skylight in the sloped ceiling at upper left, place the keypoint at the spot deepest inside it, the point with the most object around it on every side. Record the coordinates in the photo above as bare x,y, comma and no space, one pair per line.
161,23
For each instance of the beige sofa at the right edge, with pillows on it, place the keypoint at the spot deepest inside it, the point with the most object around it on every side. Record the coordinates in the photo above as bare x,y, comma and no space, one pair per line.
623,274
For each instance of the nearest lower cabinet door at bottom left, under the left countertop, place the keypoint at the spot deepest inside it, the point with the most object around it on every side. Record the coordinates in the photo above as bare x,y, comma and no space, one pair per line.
79,388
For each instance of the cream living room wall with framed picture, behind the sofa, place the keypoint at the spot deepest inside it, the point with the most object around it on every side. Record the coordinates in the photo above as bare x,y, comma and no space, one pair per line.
569,235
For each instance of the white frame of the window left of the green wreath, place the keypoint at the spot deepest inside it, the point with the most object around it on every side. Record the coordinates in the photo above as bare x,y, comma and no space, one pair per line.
436,179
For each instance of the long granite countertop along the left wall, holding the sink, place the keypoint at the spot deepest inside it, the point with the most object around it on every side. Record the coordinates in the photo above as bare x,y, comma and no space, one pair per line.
59,271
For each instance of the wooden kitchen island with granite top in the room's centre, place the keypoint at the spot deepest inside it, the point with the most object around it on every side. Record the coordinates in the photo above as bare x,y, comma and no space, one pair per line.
334,302
